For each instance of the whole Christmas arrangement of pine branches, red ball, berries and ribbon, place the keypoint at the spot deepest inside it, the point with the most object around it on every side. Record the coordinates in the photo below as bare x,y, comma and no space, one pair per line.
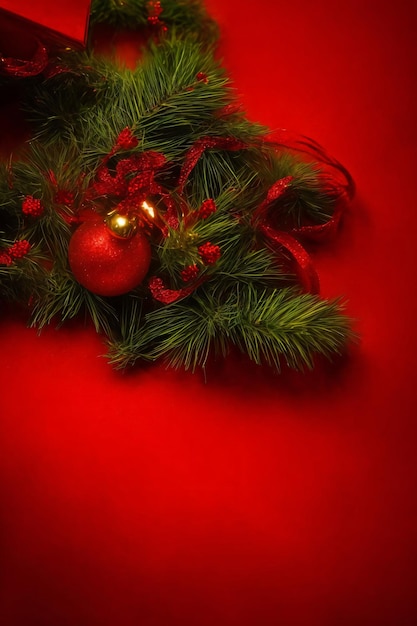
149,201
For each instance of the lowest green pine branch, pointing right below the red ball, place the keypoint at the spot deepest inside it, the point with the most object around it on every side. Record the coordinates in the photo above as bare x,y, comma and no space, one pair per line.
269,326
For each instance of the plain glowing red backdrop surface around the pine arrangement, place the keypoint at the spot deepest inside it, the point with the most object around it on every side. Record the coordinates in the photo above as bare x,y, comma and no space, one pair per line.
153,498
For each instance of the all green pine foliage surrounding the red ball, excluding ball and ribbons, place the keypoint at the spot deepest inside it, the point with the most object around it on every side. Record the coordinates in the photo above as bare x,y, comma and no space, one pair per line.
177,94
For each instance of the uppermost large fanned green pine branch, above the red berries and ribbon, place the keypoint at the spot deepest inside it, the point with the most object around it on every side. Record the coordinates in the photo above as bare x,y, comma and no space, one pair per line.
162,101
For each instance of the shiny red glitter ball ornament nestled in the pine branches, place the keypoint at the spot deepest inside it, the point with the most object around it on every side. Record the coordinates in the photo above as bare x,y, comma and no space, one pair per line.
106,264
